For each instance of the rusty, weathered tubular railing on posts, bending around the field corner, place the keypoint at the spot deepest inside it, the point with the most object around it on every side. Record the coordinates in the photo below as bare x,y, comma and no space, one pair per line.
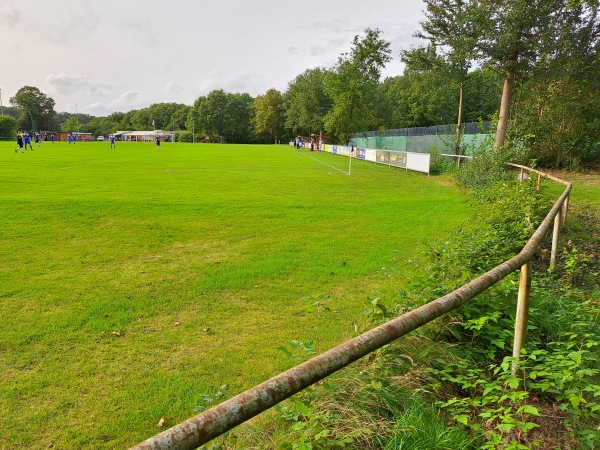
212,423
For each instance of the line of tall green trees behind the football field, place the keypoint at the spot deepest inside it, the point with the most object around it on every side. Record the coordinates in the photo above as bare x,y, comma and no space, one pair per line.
531,66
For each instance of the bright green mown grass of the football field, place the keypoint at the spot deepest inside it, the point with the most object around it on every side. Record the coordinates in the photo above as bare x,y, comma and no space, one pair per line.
135,280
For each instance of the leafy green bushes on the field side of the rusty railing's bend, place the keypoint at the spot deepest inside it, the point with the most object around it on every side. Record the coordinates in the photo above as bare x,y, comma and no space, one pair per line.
499,231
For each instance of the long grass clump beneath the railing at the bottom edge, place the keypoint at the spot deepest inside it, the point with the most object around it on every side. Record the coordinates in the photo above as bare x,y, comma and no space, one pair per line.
369,406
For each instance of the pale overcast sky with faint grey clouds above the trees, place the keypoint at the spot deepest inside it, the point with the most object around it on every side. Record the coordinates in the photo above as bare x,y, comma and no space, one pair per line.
102,56
